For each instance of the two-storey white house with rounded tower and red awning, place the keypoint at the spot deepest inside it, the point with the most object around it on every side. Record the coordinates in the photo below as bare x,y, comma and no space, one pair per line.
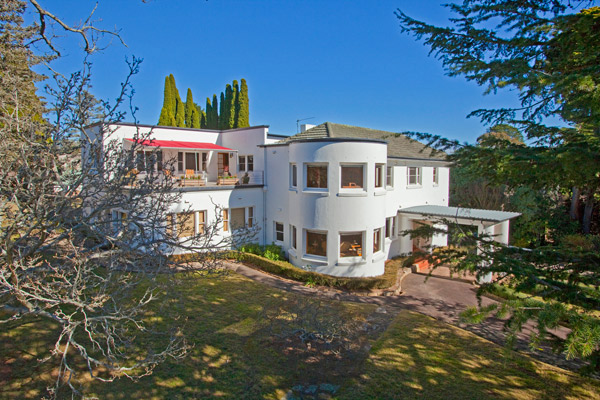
334,197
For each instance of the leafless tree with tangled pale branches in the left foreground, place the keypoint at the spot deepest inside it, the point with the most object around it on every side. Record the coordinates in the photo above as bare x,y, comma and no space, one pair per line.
84,241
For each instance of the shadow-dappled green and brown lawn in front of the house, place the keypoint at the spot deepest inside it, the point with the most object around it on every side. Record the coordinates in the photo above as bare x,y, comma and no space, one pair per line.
232,321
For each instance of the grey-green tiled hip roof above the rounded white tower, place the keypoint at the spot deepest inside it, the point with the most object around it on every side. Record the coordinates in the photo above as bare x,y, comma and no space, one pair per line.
399,145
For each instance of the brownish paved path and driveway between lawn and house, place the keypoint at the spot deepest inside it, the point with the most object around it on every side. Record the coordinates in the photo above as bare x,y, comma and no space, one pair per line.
441,298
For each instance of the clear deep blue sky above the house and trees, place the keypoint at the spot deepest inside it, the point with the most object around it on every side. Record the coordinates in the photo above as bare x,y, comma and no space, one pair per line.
339,61
